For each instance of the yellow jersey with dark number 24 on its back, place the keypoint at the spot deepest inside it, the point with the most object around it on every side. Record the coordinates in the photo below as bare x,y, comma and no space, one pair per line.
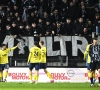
34,56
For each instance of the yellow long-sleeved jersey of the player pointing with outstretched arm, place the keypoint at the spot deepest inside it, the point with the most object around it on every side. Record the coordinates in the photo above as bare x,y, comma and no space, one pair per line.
4,55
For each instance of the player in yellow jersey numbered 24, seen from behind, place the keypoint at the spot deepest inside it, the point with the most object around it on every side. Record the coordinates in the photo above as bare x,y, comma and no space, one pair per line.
33,61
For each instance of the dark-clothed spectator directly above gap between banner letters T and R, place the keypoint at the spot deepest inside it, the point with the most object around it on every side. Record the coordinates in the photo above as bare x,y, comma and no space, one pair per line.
68,27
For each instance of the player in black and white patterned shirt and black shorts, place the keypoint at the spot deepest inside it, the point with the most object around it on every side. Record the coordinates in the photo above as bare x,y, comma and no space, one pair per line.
94,52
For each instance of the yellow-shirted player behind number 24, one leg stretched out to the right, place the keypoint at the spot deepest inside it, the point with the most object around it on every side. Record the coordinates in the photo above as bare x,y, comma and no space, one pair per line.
43,60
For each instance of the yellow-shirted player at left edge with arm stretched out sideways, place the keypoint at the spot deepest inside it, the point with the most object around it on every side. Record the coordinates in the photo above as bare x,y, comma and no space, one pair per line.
4,59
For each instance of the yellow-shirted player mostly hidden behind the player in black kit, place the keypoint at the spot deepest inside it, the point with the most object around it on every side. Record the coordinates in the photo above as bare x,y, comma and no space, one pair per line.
88,61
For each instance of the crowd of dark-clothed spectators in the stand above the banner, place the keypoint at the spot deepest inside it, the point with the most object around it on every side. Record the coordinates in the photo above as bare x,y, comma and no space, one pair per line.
49,17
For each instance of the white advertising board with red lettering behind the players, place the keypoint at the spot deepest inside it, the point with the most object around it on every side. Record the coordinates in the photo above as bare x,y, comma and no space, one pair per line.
58,74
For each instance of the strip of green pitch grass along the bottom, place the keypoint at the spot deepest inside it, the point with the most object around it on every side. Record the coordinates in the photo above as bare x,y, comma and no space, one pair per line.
47,86
